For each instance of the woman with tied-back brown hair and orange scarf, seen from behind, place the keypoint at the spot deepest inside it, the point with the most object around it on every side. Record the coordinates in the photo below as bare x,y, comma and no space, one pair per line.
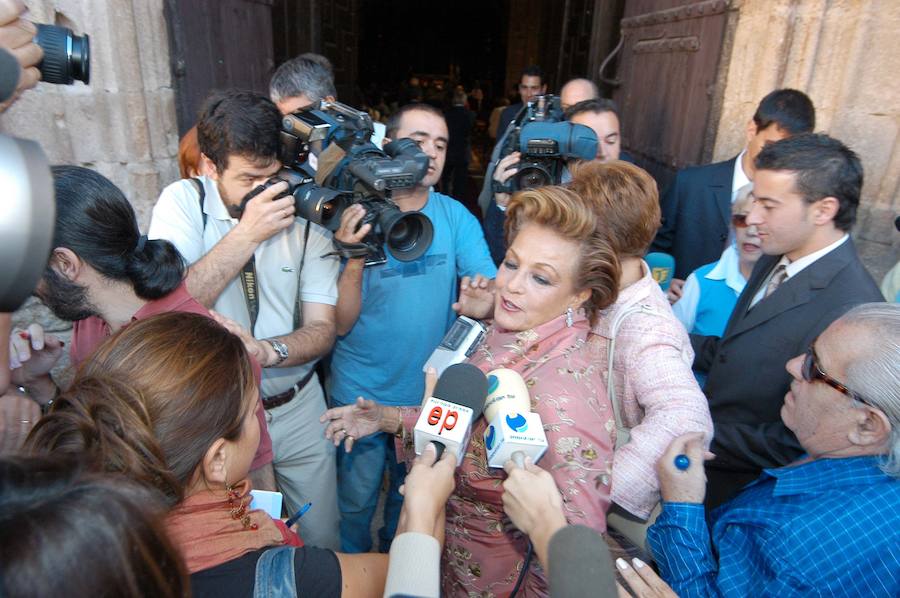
169,401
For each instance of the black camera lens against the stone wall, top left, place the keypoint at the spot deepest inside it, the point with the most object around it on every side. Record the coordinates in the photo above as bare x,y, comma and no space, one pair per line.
67,57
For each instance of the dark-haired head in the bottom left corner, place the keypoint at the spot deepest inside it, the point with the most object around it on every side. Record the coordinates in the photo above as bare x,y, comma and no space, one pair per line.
67,532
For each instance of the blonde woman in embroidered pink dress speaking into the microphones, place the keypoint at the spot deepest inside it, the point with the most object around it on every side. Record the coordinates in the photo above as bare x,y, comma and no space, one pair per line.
559,271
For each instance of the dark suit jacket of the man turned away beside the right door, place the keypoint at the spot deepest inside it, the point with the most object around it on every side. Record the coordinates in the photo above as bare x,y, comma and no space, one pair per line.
696,215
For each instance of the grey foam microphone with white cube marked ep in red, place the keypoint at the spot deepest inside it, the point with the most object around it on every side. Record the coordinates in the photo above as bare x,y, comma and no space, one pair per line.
447,416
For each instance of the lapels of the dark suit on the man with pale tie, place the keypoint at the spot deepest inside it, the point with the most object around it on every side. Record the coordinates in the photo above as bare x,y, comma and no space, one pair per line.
795,291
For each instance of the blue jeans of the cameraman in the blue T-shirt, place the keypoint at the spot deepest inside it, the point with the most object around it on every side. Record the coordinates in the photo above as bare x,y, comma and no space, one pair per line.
359,483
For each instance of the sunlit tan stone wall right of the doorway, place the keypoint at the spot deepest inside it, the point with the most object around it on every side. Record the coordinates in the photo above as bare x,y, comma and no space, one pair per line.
843,53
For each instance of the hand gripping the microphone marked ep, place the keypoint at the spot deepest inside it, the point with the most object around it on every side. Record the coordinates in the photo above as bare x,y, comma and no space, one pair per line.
428,486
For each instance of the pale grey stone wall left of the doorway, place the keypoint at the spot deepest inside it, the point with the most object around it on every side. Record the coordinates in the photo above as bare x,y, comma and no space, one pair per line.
123,123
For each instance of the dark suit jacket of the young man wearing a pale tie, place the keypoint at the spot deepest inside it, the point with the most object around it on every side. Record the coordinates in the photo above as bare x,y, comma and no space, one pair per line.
747,379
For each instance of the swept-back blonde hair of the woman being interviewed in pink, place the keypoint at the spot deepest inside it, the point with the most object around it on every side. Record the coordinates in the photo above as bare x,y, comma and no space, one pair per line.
571,217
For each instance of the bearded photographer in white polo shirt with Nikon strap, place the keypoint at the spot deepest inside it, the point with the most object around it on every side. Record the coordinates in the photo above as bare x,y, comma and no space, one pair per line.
261,267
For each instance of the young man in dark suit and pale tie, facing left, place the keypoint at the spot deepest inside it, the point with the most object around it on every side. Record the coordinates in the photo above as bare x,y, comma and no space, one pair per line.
806,191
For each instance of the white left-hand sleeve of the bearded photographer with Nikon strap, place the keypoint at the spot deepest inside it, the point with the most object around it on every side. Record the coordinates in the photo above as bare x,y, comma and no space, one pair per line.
178,218
